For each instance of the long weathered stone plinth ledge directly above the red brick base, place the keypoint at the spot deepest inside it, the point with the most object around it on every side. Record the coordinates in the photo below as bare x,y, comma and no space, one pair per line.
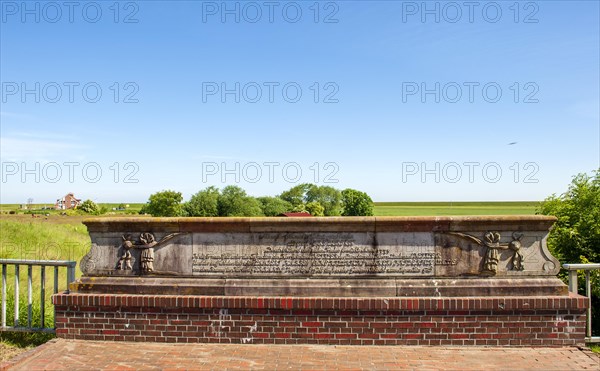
325,287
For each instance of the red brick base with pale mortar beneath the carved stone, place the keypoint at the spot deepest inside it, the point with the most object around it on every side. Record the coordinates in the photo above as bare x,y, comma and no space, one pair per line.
491,321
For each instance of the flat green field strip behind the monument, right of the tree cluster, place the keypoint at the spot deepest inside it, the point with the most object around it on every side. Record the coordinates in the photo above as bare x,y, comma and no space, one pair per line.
454,208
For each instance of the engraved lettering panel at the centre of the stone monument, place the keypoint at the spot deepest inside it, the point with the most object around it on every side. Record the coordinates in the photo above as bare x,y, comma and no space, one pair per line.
300,254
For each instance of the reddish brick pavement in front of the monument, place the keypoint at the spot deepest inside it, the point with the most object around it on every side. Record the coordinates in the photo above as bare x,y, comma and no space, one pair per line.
62,354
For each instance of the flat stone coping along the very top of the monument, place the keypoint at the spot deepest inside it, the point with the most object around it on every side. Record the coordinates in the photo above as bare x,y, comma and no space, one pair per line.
323,224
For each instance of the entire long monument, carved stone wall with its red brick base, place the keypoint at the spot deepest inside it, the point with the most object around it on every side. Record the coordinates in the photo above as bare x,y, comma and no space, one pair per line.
349,280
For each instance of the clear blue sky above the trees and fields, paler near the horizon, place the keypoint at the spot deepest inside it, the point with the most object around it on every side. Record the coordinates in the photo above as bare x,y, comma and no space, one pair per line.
510,110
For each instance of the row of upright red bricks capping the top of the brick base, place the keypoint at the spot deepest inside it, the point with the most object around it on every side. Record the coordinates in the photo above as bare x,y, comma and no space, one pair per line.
94,302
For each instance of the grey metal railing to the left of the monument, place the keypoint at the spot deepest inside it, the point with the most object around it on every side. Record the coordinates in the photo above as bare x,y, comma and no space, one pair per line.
70,265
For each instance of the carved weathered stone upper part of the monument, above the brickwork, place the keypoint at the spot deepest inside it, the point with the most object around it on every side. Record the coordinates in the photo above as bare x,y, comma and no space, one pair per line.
284,251
